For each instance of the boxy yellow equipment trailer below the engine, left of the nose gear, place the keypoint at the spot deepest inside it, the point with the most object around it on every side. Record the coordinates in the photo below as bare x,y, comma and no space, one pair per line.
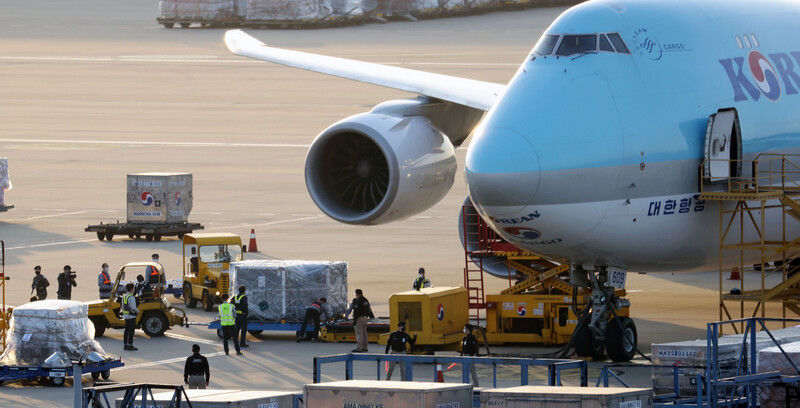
436,315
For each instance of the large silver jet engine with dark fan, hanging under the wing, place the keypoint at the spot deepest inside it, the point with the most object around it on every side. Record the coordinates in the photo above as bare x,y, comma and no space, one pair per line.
380,166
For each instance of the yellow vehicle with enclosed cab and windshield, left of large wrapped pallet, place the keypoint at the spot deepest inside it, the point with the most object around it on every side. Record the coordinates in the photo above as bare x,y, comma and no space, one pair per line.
206,262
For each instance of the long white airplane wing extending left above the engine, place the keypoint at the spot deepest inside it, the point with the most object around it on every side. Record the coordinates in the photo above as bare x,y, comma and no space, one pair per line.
468,92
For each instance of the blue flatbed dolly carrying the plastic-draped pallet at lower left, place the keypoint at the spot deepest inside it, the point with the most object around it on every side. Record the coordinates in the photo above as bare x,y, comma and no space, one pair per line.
57,375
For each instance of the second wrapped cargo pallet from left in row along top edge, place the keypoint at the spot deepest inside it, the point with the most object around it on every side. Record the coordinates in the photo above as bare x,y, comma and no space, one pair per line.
287,10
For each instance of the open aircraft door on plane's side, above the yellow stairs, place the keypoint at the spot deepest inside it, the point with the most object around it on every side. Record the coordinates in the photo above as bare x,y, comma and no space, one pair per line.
723,147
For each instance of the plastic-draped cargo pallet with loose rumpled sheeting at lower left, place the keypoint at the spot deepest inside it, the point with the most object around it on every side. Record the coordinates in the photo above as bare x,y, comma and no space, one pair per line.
51,333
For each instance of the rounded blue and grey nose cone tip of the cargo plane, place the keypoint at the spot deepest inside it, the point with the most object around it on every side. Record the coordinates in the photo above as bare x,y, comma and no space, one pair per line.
502,170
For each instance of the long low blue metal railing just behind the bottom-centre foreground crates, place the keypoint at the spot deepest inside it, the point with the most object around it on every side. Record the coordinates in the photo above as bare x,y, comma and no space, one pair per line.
554,367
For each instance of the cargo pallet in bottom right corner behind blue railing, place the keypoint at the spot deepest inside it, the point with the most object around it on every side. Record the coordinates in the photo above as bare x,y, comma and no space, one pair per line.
771,359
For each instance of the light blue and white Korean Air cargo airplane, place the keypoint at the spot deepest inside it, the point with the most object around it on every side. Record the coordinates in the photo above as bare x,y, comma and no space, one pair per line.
592,152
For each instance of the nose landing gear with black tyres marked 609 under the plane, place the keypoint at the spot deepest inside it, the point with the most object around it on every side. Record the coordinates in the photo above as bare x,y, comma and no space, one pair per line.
604,331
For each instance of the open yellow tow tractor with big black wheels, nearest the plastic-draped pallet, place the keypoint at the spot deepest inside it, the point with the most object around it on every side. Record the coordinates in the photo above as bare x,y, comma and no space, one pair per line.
156,315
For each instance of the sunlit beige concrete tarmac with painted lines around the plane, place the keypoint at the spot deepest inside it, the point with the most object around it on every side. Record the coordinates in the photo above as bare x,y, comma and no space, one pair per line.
92,91
